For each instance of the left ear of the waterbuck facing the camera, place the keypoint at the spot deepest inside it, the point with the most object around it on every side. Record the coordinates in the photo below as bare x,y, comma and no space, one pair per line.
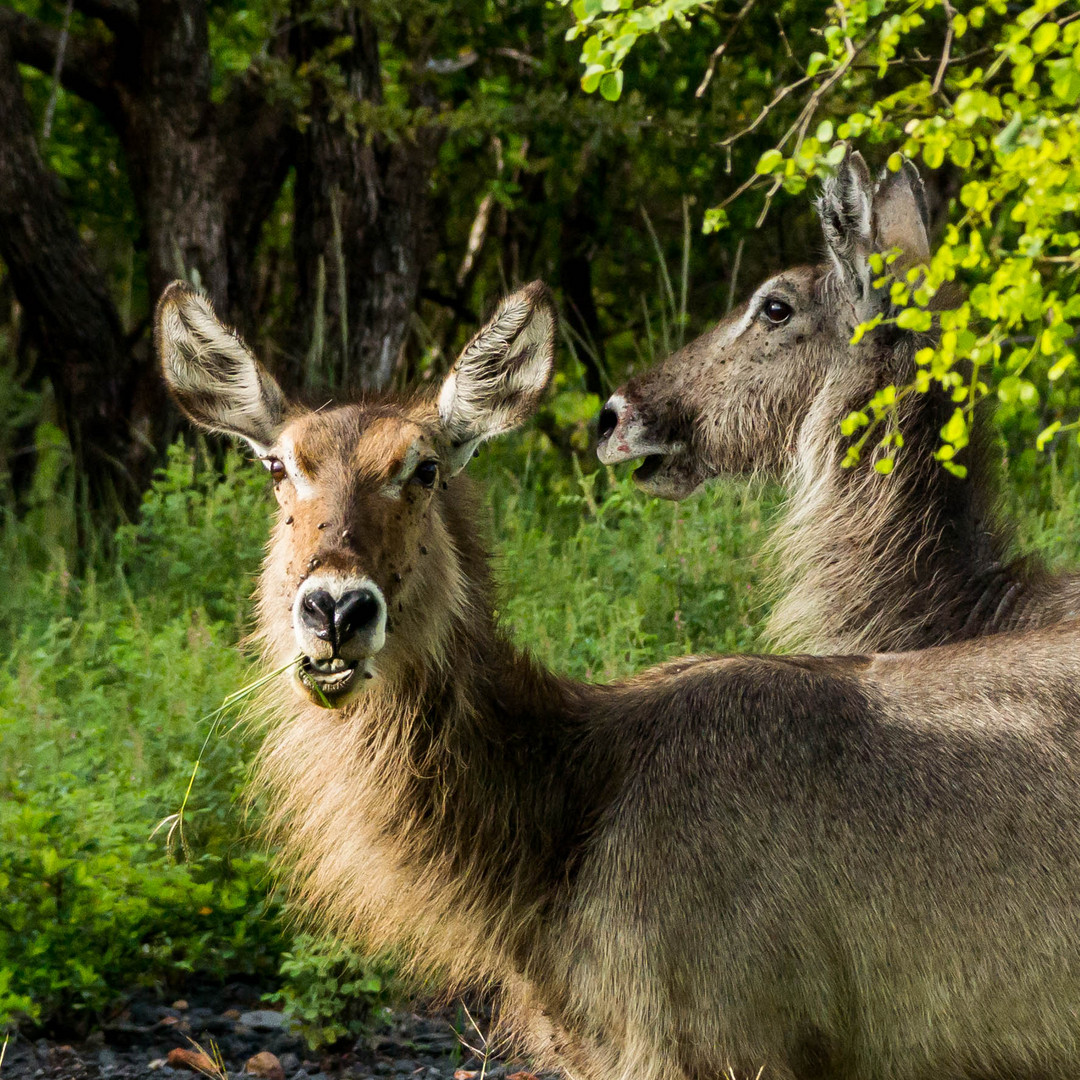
212,374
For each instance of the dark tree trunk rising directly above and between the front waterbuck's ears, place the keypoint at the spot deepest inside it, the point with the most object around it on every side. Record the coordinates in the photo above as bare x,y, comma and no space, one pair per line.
361,218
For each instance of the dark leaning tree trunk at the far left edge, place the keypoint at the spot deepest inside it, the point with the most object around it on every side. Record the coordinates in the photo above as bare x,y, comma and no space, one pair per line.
71,315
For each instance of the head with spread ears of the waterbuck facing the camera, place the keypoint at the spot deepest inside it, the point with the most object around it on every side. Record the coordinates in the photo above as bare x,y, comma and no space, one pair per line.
367,548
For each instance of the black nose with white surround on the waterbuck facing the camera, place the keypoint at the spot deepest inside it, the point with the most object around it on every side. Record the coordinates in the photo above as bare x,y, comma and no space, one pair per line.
348,616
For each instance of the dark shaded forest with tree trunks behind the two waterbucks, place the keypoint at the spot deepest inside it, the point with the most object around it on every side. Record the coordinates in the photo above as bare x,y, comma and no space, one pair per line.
354,185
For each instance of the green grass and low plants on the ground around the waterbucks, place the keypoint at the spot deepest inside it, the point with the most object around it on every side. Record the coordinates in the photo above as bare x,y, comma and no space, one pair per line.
106,679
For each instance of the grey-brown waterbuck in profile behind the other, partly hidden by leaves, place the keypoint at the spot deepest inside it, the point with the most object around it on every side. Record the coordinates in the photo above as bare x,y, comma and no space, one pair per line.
867,562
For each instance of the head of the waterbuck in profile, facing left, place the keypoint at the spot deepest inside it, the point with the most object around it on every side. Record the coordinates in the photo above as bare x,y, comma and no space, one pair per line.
736,400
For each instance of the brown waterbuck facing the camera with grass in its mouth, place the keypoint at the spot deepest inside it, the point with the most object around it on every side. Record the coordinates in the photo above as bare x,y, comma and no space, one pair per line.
816,867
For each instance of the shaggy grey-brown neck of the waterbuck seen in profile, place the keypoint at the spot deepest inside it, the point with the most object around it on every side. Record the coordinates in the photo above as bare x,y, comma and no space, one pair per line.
873,563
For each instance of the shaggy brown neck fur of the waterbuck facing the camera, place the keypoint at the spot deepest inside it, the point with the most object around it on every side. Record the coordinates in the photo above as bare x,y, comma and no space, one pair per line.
467,787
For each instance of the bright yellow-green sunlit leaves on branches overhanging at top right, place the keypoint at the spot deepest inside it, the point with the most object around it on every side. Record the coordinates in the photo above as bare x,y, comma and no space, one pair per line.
989,94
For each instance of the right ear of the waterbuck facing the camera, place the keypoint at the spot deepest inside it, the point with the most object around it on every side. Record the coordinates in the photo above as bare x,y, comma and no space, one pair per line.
497,382
